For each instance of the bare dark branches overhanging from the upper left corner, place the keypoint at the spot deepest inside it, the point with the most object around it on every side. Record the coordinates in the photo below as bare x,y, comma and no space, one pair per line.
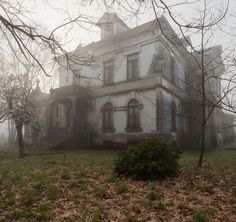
20,32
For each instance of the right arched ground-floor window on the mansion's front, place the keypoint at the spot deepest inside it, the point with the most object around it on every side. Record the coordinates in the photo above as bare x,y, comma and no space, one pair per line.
133,114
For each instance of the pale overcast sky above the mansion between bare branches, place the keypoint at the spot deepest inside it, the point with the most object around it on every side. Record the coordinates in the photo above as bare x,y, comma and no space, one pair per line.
52,13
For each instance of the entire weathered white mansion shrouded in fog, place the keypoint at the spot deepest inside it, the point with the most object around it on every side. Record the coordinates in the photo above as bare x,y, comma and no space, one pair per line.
136,84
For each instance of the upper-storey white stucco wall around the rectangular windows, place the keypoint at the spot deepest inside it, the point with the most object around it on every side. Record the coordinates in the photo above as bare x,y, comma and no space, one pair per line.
118,53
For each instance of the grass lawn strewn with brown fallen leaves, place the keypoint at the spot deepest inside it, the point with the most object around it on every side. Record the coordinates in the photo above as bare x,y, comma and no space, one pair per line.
80,186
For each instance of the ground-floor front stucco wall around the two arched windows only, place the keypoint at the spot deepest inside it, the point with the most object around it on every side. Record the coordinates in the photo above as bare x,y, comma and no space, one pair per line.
147,113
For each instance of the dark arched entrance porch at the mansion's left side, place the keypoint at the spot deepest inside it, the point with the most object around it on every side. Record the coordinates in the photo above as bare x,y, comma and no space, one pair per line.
68,110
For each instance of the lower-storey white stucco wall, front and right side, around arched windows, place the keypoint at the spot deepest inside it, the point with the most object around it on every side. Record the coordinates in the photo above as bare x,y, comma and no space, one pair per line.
148,114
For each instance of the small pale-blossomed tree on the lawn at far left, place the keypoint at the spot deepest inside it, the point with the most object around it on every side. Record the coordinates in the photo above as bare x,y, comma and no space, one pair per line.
15,104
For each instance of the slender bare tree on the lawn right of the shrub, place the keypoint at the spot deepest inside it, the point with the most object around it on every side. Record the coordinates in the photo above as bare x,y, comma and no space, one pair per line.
208,62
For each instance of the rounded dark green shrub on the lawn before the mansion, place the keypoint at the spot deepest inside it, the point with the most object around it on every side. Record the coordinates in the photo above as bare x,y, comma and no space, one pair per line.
150,159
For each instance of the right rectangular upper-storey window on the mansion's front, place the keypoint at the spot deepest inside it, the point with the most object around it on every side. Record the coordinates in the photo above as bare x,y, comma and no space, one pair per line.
132,66
